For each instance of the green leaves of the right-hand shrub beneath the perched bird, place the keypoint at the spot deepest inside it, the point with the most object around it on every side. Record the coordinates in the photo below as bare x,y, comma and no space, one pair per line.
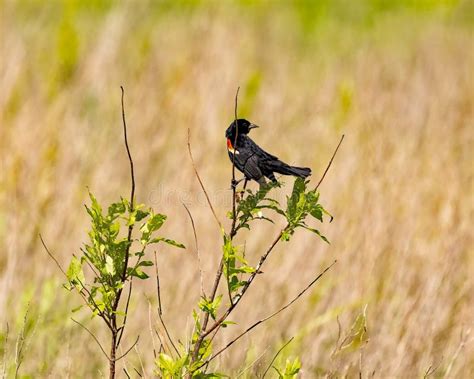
237,271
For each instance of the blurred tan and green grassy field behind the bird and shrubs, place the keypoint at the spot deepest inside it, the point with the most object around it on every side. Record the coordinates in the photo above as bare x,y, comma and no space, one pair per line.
396,77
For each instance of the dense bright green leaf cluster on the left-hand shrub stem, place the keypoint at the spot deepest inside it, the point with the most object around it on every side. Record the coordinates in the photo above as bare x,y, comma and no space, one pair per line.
106,252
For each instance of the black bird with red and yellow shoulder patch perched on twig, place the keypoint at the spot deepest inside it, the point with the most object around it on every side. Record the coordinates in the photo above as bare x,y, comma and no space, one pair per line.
254,162
